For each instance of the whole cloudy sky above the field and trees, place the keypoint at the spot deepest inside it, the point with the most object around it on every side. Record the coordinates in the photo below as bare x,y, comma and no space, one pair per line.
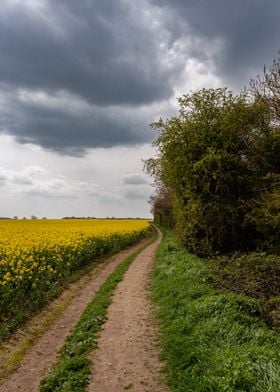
80,82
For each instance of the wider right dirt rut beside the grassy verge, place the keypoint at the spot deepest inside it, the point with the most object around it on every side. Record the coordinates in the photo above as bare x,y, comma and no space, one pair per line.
127,357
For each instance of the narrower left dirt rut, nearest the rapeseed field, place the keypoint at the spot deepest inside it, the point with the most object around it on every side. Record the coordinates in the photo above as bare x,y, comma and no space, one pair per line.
38,362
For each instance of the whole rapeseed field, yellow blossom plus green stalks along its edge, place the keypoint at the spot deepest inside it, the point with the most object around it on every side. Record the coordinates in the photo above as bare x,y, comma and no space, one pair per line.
37,258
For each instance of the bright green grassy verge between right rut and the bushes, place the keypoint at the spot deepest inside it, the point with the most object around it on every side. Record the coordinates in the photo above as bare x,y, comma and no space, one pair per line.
211,339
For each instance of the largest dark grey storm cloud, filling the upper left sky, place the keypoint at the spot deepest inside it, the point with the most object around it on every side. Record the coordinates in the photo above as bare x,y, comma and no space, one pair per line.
97,50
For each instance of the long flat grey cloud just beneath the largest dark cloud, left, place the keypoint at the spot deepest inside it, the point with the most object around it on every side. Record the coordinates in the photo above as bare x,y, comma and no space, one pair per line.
73,132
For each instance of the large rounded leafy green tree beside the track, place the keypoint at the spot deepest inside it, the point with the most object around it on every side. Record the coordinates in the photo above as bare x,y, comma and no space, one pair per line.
210,157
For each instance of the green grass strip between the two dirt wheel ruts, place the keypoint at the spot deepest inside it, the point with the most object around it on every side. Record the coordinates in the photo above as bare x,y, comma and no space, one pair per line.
72,370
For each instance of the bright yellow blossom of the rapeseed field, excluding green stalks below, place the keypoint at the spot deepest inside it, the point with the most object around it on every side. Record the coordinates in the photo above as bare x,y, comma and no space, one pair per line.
33,249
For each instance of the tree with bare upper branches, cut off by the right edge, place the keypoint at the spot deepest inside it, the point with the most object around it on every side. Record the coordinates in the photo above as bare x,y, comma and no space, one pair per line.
265,214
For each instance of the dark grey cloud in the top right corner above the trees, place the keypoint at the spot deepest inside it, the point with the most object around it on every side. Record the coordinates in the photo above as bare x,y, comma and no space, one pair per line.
249,29
